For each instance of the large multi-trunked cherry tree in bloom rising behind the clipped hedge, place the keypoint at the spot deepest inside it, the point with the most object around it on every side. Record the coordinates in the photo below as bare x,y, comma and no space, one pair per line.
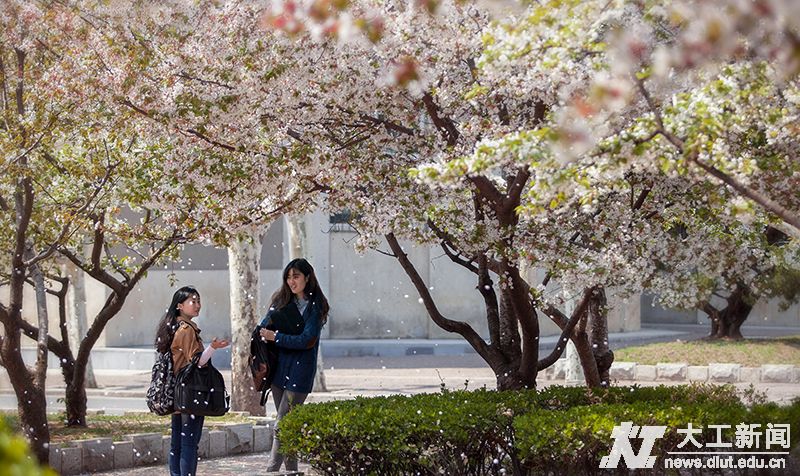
494,119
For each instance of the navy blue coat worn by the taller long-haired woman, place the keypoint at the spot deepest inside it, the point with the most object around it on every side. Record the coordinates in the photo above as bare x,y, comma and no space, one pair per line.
297,354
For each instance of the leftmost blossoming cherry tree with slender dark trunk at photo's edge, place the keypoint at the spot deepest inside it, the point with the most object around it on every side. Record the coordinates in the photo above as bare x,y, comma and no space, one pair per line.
39,214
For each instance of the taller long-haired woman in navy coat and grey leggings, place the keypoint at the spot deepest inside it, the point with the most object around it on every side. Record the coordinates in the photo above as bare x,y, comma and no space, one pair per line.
297,354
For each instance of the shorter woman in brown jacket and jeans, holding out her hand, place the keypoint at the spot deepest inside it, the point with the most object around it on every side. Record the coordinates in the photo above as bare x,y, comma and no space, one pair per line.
176,332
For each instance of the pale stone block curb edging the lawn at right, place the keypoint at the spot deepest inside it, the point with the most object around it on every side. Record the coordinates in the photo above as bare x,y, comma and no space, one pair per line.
683,372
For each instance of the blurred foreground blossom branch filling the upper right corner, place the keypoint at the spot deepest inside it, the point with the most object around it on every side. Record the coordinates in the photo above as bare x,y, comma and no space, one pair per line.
694,71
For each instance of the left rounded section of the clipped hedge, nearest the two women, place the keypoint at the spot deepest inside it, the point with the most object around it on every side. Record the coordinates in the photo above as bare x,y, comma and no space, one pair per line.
454,432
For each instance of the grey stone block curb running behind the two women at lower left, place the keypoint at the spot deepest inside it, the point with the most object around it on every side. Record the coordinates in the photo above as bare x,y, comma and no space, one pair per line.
146,449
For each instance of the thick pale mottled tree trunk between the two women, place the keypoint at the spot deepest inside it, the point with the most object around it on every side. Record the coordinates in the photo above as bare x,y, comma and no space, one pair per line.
244,258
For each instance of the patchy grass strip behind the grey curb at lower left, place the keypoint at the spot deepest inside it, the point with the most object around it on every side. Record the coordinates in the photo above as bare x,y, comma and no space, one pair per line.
99,426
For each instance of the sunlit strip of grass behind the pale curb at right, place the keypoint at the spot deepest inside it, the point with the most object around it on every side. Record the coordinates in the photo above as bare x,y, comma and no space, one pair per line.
749,352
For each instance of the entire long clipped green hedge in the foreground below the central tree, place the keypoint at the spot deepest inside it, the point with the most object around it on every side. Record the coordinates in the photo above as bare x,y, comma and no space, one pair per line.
553,431
